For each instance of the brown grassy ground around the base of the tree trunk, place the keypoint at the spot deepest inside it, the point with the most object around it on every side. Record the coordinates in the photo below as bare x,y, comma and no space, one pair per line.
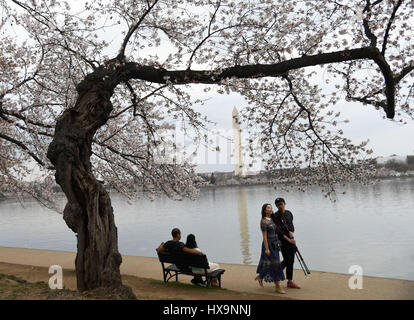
21,282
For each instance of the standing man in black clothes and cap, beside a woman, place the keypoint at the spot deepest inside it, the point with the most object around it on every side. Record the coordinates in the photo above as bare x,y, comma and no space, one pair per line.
284,221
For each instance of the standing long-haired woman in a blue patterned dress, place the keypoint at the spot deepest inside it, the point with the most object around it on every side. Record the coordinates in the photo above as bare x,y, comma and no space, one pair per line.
269,268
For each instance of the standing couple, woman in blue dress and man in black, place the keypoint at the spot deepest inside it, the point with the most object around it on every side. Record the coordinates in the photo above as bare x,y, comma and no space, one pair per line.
277,229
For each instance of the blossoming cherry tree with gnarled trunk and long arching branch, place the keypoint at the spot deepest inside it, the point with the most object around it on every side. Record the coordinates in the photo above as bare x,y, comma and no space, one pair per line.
92,95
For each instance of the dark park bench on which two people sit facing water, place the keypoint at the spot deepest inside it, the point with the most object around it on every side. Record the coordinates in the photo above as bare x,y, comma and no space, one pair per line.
181,263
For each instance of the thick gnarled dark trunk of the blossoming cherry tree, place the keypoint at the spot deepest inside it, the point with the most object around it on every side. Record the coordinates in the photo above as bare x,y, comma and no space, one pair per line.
88,211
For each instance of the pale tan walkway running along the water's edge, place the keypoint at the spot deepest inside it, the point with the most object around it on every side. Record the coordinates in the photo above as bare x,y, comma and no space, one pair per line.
239,278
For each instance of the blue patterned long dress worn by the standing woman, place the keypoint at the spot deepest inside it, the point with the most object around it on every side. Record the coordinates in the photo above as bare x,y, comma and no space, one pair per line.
269,268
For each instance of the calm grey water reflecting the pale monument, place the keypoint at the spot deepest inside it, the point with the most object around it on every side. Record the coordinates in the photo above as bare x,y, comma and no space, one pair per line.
370,226
